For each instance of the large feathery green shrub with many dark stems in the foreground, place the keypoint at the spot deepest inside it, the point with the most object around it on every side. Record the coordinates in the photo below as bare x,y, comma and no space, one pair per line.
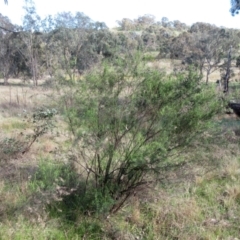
127,119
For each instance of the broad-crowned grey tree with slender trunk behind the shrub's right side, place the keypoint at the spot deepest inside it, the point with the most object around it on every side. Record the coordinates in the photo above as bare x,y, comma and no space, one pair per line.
205,46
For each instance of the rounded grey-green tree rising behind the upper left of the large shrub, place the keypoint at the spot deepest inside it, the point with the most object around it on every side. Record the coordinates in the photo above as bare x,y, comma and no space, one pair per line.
74,42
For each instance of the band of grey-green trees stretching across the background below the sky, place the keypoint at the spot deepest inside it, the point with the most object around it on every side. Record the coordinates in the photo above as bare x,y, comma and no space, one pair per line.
67,44
